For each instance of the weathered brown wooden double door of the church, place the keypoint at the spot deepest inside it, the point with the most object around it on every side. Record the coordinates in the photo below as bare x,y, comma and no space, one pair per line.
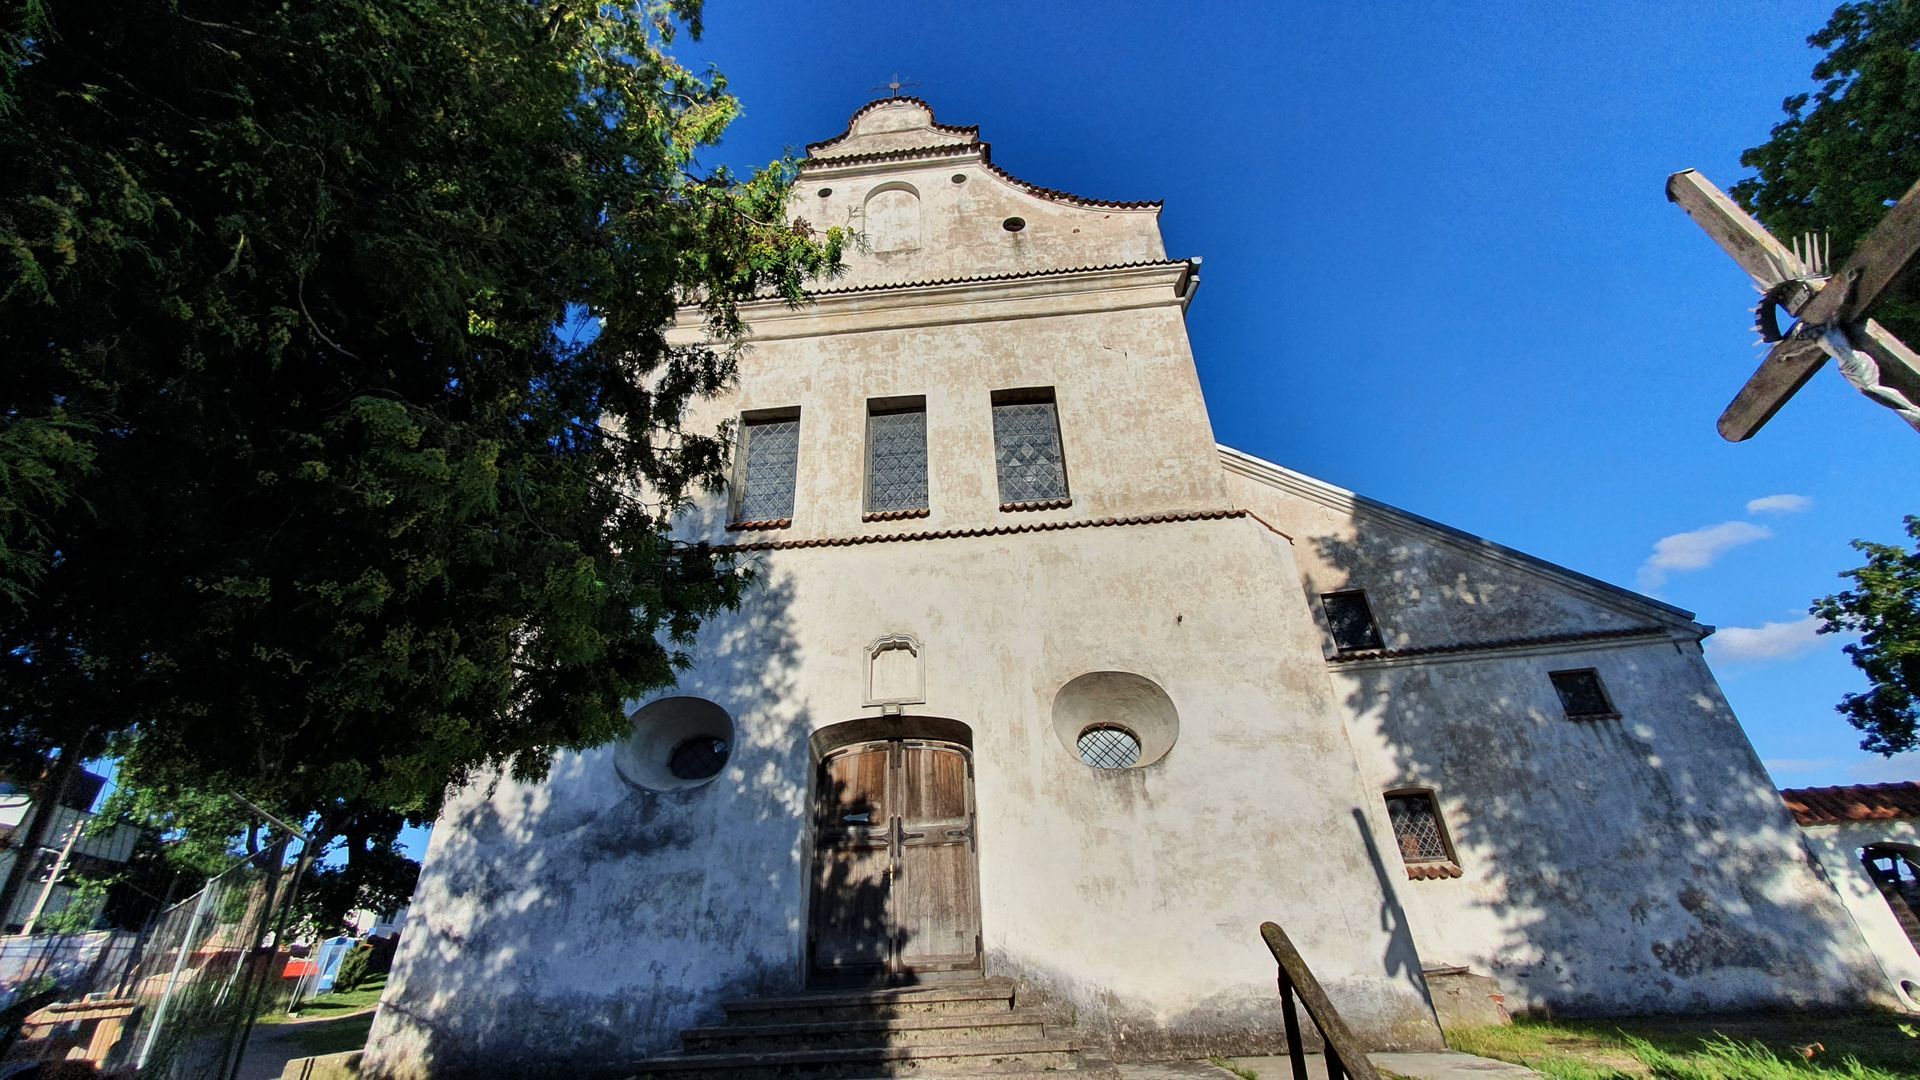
896,868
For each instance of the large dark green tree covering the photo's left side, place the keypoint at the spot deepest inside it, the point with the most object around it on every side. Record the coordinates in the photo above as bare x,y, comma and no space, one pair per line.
354,322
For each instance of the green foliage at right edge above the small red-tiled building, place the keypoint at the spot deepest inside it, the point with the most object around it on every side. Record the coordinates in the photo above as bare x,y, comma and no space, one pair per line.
1884,608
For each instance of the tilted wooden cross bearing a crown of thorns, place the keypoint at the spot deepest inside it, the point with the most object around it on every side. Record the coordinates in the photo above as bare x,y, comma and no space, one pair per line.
1831,310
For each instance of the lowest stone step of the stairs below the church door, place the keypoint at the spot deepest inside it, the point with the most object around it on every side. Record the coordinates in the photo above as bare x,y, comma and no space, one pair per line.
957,1060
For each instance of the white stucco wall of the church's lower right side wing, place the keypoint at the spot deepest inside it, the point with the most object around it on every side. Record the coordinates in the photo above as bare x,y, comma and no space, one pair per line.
1627,866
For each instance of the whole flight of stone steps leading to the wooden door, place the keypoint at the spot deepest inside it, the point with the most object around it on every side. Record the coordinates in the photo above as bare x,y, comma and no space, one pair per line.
955,1029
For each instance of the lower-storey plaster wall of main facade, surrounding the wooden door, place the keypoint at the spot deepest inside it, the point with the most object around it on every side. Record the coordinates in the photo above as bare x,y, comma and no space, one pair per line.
1132,896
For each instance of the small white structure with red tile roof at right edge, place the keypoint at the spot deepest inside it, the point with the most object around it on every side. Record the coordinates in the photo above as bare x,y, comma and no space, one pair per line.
1867,839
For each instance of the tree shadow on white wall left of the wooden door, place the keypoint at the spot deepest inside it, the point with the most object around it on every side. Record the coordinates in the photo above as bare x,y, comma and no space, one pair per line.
585,921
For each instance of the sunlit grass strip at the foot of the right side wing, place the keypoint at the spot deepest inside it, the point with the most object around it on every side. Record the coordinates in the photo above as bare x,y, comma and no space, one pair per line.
1756,1046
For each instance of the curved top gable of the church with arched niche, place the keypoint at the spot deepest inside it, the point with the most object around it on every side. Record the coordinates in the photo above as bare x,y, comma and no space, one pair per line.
928,205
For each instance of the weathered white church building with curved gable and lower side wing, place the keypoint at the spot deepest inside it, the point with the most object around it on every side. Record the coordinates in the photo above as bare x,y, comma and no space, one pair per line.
1040,683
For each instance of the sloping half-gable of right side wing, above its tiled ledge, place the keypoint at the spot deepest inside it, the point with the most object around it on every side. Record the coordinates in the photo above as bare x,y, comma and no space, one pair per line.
1429,589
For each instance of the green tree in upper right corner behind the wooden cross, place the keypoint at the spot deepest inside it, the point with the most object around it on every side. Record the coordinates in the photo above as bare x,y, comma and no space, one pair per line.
1850,149
